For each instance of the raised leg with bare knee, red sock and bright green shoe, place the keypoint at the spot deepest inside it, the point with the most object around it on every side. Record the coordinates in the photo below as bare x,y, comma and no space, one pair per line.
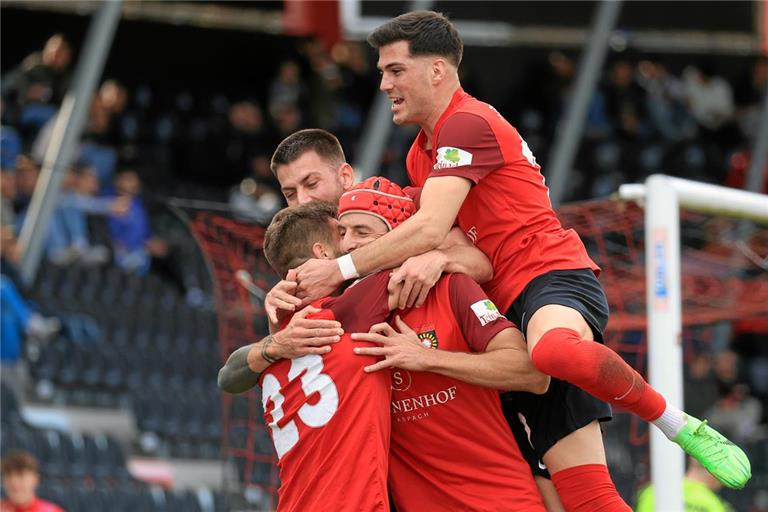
560,343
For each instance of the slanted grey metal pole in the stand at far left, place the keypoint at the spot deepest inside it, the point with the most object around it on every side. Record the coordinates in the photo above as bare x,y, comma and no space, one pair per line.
65,136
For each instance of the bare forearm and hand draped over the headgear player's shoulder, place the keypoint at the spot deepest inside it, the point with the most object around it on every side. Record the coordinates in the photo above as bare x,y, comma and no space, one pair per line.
418,274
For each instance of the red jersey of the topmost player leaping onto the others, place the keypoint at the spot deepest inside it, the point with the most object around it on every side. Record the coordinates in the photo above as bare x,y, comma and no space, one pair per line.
507,213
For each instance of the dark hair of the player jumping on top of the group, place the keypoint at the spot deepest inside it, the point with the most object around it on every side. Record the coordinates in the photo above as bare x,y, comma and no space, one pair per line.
427,32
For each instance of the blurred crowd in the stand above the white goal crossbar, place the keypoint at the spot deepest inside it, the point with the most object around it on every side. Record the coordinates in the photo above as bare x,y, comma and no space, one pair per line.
645,118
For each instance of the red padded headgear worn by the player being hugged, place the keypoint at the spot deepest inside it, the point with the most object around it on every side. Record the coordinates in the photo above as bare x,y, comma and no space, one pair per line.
379,197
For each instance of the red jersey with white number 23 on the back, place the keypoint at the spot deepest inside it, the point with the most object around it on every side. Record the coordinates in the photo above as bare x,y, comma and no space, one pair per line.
329,419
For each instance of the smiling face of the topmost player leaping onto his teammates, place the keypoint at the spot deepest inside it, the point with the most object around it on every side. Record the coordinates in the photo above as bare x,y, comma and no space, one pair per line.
405,80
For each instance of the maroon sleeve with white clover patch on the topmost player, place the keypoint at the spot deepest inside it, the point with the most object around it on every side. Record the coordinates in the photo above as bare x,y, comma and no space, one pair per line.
467,147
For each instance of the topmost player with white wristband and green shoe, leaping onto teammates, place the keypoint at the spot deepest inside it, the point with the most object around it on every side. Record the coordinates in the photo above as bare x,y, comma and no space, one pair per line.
477,171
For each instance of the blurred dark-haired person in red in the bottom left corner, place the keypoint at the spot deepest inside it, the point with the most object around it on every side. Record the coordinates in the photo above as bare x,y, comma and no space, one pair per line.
20,480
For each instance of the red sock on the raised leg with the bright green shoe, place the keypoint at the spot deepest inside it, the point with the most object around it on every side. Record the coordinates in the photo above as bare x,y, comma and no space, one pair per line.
598,370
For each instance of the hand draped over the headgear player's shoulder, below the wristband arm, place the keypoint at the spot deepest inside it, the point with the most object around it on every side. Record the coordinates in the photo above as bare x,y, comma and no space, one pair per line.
418,275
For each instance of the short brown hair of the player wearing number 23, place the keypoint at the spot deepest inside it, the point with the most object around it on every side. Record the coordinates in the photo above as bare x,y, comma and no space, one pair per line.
289,237
